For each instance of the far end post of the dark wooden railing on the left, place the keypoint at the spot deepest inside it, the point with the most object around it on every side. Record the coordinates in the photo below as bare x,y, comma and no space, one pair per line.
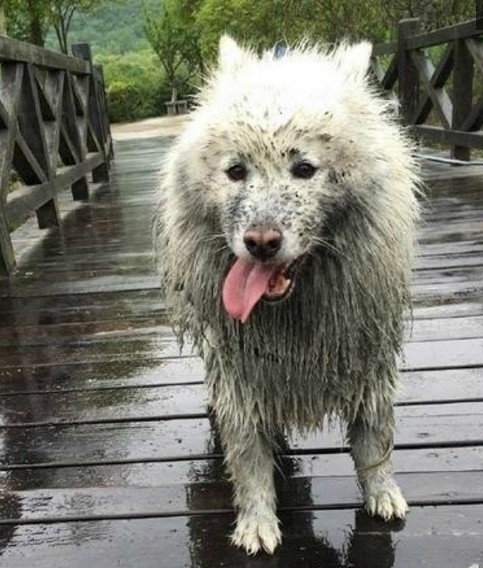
83,51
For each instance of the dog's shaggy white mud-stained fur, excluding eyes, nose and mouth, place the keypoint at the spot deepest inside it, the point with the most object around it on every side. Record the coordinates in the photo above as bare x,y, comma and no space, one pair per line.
330,349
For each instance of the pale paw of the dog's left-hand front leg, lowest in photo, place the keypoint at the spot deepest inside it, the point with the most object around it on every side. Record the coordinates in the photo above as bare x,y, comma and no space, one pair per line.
257,532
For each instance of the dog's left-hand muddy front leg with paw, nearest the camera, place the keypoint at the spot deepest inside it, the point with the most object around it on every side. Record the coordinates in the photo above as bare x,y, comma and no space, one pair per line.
250,461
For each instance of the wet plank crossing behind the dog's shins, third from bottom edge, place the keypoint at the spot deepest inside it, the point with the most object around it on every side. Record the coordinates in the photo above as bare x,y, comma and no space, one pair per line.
417,427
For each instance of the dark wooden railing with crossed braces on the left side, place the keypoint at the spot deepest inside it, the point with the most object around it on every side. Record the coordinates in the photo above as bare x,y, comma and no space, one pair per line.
54,132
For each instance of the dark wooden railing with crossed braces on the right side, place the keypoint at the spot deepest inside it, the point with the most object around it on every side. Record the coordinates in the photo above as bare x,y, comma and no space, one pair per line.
446,86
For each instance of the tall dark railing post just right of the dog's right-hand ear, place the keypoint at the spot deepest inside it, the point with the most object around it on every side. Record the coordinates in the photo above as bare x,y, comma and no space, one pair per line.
407,73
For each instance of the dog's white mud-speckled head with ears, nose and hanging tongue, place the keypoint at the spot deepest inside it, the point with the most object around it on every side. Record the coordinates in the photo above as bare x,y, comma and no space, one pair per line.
278,147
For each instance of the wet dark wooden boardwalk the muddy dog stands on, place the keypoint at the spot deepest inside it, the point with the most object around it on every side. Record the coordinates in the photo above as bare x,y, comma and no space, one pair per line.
108,458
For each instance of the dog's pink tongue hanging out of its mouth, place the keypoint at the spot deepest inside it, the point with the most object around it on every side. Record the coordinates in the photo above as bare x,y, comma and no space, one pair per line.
244,285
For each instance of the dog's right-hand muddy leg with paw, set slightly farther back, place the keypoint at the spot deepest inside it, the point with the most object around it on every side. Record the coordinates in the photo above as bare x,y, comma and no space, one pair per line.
371,436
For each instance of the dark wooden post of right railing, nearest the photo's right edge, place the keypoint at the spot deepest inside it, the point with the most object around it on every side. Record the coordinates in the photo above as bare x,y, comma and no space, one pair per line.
462,94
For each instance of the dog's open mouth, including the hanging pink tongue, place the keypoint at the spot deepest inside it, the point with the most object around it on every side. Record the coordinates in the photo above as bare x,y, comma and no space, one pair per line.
247,283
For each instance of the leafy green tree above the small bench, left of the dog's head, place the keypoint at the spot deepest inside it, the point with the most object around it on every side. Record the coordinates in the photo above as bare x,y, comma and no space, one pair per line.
174,37
